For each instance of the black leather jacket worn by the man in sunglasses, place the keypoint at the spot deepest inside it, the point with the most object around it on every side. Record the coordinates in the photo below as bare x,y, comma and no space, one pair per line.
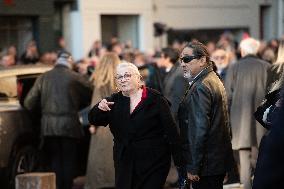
204,125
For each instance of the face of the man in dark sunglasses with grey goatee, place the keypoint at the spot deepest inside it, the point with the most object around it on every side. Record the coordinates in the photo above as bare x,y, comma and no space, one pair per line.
190,64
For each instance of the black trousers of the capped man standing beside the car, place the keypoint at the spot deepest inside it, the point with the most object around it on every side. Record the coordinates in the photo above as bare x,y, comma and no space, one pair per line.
61,158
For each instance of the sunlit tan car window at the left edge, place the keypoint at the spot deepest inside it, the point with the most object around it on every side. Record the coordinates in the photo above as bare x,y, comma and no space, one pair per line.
8,87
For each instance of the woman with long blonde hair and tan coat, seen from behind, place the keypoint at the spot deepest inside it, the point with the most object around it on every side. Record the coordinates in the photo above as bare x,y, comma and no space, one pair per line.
100,169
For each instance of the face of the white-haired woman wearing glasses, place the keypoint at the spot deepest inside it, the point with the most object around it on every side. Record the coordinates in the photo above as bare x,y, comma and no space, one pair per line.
127,80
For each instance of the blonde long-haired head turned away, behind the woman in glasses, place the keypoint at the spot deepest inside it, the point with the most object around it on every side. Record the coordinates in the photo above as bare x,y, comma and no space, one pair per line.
104,73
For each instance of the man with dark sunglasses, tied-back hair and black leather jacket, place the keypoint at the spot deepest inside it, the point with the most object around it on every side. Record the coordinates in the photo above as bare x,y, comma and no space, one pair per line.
203,120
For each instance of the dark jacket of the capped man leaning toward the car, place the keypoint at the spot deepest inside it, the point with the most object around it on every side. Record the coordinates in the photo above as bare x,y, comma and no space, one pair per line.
60,94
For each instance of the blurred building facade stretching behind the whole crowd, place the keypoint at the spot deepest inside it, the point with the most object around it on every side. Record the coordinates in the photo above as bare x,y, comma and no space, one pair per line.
81,22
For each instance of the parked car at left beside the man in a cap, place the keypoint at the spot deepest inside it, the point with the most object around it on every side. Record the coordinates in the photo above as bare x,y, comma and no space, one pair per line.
19,131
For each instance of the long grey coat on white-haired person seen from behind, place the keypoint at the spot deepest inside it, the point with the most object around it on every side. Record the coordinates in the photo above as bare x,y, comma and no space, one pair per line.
246,84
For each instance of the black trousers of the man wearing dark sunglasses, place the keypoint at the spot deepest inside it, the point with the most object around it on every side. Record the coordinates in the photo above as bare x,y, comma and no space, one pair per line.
209,182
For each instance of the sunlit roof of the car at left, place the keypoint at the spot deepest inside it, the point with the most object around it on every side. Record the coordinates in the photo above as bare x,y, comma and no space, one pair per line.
24,70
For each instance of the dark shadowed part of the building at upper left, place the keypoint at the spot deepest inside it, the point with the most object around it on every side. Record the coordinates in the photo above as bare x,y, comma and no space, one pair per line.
24,20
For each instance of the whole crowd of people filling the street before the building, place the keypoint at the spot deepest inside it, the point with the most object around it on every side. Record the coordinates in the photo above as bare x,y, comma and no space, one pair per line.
211,105
